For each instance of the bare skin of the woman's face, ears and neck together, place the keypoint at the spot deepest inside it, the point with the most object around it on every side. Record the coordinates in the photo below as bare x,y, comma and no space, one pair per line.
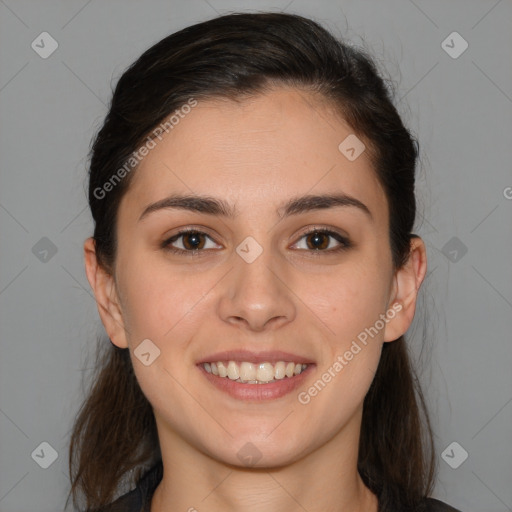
256,154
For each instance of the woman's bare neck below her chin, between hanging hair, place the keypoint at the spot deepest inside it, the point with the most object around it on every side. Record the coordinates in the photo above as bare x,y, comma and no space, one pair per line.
325,480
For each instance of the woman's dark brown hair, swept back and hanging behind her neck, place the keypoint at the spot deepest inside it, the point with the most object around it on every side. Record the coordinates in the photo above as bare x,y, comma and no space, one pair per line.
235,56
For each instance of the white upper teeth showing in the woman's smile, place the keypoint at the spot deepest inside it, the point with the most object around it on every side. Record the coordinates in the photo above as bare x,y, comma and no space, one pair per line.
247,372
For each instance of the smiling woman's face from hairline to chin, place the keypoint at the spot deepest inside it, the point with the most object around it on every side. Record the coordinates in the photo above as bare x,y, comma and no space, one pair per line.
304,285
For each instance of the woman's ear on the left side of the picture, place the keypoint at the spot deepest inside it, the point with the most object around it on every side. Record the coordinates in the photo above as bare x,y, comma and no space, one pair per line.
105,292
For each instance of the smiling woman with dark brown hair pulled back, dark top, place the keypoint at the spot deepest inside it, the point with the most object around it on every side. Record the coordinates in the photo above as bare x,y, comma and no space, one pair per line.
254,266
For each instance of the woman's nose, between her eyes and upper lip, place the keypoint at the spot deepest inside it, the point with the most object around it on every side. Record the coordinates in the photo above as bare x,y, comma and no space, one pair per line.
256,295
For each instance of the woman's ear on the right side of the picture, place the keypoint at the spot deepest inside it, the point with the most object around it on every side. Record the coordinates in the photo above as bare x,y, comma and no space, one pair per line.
406,284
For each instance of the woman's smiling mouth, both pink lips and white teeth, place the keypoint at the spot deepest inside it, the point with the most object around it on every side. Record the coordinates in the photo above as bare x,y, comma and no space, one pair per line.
254,377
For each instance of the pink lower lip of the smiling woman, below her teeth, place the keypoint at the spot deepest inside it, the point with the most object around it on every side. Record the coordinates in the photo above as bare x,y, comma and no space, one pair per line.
258,392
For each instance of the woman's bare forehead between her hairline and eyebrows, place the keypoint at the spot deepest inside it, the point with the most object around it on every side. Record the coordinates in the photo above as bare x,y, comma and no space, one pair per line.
254,153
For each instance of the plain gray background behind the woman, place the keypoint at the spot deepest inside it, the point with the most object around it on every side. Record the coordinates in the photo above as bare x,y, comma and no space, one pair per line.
461,110
